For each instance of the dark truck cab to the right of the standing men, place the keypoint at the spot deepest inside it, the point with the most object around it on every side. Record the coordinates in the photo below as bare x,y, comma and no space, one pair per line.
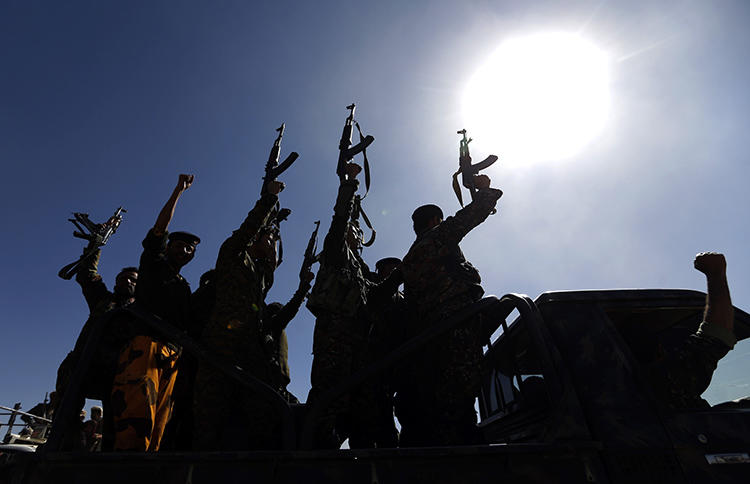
570,371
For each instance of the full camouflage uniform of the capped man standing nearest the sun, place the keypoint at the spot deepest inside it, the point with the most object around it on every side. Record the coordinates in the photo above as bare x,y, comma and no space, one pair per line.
436,404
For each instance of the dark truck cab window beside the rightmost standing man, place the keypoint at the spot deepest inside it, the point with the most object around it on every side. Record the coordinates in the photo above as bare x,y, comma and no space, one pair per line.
514,380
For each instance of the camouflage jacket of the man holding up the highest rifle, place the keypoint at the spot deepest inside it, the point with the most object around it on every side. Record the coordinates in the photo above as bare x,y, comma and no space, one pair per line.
343,279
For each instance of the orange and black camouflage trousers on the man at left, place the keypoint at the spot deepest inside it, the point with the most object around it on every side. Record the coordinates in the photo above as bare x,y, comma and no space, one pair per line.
142,393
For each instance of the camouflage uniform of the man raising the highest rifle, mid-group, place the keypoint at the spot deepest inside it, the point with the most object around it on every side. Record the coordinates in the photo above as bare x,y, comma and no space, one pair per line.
336,300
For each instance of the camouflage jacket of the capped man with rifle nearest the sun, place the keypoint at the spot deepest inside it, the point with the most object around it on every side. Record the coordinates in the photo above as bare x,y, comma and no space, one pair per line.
435,270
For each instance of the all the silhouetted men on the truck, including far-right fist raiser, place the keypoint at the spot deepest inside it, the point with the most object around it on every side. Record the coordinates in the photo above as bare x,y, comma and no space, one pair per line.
158,395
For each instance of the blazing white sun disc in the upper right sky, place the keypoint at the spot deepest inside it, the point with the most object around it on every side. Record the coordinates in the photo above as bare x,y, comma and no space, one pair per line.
538,98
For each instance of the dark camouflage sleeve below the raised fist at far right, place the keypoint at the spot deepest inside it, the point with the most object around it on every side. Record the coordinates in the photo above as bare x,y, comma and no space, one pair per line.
684,373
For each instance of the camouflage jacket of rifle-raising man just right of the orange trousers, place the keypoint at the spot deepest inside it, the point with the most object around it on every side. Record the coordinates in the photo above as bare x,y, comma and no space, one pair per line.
241,281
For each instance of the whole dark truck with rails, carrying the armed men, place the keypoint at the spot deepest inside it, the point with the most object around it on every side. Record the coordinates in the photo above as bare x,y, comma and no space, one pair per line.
564,399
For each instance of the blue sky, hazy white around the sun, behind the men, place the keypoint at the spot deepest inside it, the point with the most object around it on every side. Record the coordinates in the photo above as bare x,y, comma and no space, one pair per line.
103,104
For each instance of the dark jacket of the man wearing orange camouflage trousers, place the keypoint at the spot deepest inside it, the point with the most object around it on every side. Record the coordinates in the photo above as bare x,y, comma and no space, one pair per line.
161,289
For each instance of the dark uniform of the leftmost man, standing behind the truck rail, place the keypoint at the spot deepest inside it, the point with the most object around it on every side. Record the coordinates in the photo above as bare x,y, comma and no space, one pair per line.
97,384
